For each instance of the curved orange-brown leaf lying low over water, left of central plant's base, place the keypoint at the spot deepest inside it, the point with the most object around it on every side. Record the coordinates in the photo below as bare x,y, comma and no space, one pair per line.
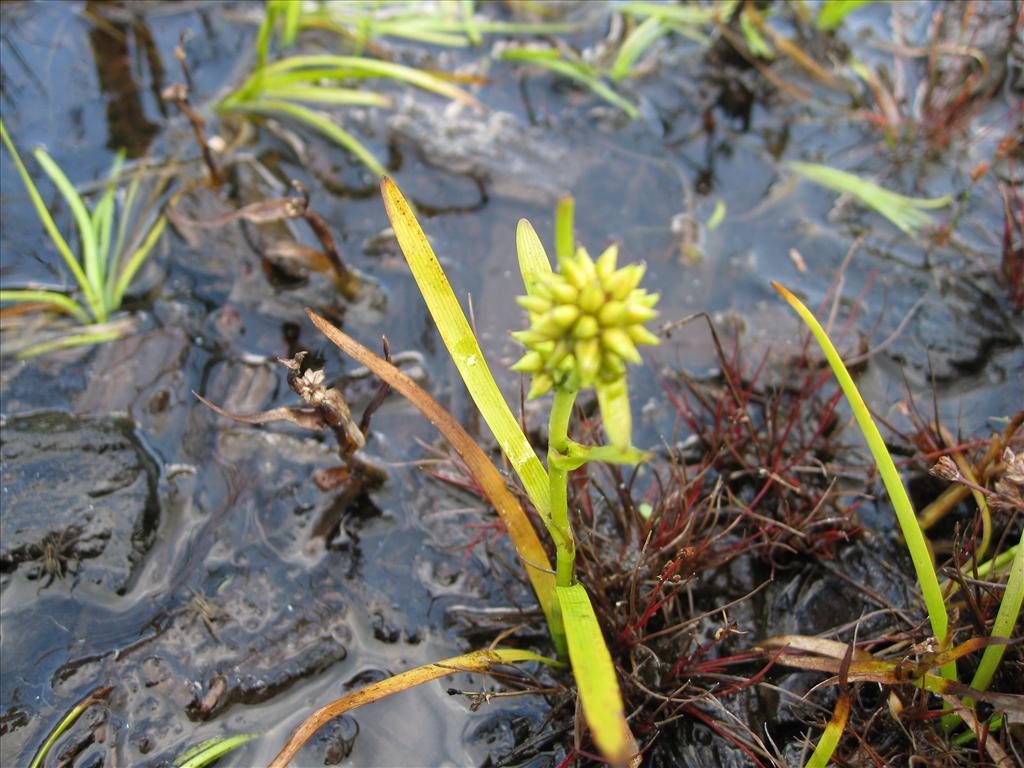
479,661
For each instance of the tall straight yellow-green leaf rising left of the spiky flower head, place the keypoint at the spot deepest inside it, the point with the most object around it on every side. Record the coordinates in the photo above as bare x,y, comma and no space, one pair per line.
463,348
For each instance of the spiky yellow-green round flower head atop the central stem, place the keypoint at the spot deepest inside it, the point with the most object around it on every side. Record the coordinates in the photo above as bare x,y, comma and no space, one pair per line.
585,323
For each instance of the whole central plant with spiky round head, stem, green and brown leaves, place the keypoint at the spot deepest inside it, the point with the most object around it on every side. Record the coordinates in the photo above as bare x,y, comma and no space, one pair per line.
565,355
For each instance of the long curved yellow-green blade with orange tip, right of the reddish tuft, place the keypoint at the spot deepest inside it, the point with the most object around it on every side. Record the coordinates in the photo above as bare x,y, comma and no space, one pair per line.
908,521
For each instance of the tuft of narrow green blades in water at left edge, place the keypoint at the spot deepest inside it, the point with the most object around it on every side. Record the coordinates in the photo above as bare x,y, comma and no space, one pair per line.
112,247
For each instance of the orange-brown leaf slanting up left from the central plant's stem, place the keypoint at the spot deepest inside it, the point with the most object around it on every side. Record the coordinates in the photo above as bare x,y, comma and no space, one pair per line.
519,526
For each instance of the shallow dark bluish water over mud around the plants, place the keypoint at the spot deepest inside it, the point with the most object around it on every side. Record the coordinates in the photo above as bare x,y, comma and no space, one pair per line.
313,593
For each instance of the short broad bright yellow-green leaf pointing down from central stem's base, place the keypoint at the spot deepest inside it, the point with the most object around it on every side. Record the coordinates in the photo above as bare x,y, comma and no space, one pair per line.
596,680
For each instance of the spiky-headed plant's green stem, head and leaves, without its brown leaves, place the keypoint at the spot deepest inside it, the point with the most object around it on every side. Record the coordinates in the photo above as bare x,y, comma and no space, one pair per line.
585,324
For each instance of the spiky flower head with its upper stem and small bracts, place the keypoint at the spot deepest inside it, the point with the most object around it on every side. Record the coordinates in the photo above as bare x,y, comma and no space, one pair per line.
586,323
